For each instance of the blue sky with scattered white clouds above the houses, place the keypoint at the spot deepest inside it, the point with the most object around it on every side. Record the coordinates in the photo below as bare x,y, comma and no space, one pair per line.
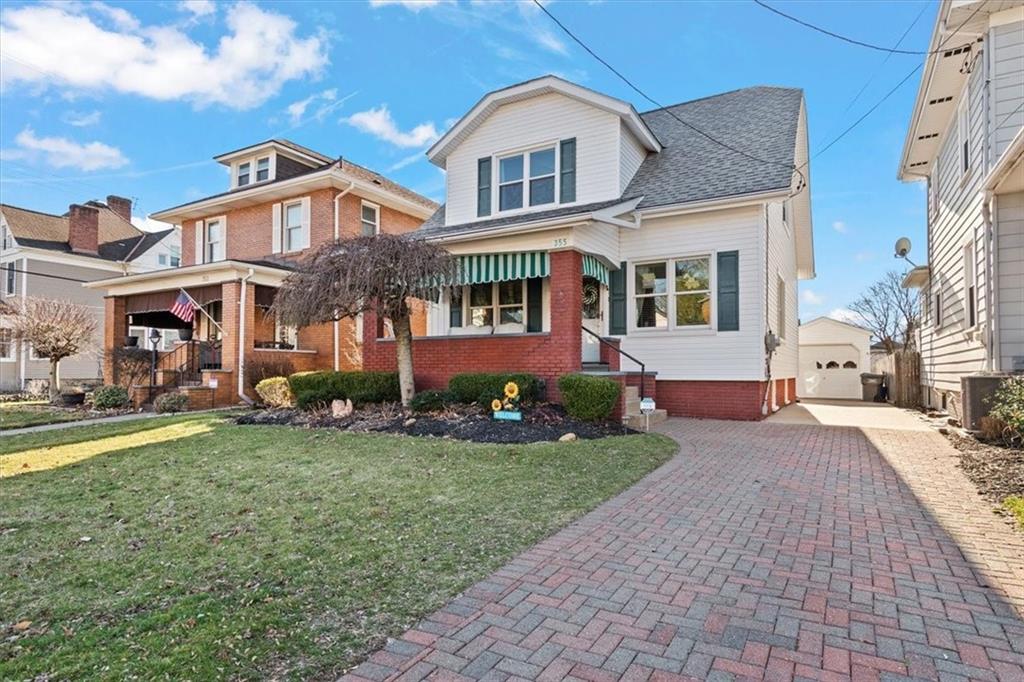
136,99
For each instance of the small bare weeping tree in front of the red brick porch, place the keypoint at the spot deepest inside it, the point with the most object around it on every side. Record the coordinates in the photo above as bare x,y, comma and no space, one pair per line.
378,274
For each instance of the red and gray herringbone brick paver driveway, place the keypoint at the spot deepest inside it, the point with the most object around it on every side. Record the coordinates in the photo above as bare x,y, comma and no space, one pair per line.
761,551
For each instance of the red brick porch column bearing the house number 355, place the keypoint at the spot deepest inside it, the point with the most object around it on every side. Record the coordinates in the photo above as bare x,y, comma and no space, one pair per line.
567,314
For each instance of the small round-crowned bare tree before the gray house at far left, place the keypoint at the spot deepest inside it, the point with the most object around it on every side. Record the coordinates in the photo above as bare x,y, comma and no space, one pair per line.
57,330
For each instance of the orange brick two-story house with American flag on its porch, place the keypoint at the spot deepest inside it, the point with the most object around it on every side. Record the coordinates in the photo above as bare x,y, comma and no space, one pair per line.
238,247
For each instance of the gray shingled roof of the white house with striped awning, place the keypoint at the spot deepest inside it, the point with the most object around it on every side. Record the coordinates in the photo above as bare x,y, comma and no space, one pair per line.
761,121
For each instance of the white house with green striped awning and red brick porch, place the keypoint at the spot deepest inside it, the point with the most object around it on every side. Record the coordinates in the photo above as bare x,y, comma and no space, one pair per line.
593,238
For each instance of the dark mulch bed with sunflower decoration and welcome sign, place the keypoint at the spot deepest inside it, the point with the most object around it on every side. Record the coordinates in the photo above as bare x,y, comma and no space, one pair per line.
541,423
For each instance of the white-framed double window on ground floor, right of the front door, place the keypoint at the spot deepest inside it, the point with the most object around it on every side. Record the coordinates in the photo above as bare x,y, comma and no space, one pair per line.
681,301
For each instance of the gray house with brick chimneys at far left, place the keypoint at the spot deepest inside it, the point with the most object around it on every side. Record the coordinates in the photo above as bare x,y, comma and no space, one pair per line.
44,255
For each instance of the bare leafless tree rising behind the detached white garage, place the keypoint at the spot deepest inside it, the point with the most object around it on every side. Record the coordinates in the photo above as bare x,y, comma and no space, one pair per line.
890,312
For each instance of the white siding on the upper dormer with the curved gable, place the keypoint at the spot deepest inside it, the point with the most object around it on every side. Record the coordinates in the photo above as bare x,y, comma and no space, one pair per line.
538,121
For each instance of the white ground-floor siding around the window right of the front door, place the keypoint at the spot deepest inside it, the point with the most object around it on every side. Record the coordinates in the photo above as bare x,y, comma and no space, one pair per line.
703,354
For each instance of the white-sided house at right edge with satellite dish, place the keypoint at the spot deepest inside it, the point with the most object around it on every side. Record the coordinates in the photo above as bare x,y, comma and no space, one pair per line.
966,140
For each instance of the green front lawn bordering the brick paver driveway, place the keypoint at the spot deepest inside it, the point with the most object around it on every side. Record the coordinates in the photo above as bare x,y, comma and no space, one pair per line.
259,551
